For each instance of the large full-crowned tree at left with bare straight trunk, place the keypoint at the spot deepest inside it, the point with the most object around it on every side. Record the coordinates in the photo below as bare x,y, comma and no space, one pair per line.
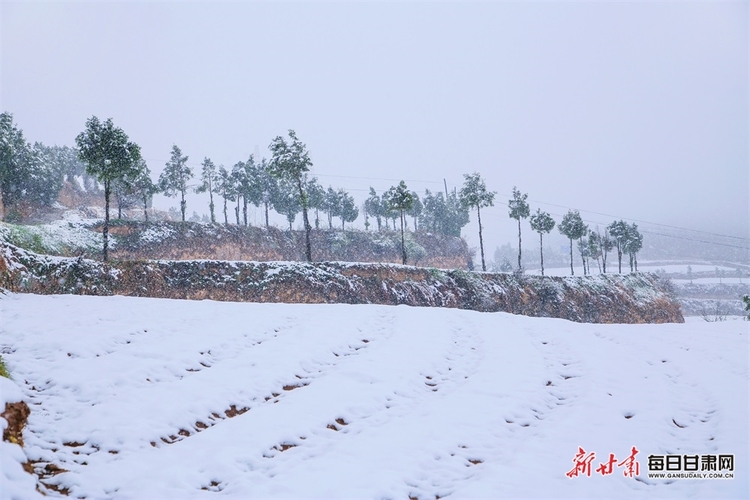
109,156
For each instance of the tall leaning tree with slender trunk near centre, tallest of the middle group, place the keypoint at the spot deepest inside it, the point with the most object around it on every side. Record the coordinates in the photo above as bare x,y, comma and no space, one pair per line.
290,160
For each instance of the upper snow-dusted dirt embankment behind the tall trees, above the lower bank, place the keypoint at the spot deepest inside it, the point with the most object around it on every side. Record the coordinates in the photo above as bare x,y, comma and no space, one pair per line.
188,240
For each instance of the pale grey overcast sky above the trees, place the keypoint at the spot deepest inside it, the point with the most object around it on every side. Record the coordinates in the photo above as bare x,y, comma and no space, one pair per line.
634,110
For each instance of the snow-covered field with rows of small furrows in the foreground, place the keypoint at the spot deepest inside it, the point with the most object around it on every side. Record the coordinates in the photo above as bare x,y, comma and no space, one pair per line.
153,398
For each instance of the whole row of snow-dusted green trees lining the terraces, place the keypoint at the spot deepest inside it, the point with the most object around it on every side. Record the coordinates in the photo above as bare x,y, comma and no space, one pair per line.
280,183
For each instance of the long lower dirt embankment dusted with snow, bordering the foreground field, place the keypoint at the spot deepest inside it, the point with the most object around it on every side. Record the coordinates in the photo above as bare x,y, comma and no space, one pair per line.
636,298
